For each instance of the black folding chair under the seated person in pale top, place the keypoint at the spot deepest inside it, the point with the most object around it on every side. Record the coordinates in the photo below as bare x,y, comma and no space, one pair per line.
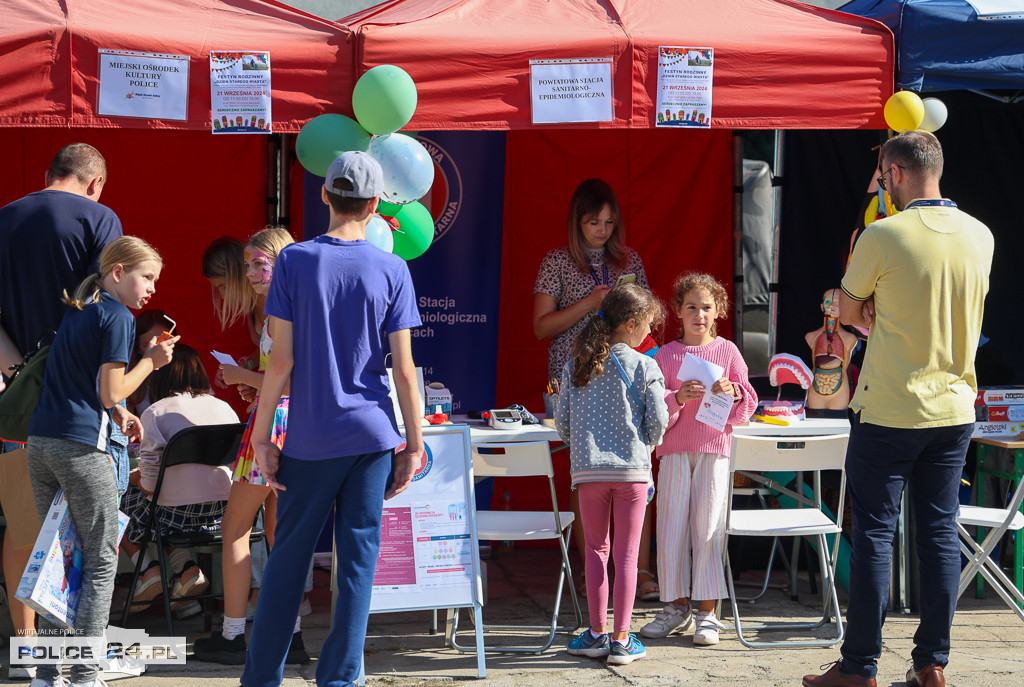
203,445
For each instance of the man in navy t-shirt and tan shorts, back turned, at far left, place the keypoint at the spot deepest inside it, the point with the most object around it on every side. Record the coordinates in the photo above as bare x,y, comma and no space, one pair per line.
50,242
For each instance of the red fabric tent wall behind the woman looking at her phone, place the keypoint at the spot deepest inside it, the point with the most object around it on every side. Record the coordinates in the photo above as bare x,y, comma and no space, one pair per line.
675,189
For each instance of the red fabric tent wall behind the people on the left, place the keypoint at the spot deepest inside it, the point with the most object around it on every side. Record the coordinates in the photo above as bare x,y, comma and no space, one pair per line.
178,190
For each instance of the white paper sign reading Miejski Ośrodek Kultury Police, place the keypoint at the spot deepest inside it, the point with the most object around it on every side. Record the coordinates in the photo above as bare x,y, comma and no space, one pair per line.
150,85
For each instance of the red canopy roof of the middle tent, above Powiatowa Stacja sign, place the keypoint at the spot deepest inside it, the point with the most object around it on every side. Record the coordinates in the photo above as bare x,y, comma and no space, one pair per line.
779,64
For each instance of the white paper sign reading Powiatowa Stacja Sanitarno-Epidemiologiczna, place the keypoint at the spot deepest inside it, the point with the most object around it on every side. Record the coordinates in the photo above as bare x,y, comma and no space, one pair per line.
571,91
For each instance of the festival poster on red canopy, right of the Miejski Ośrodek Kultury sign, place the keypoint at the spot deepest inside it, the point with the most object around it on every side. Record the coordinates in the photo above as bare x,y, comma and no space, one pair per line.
240,92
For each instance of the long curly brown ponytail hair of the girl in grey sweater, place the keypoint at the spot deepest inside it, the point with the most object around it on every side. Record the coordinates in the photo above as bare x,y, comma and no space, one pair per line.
593,345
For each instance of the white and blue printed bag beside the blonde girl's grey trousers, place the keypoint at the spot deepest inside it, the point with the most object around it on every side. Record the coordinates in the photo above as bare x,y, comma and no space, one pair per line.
54,578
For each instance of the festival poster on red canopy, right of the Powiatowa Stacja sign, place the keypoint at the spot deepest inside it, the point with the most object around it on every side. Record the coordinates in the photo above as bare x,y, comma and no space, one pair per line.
685,87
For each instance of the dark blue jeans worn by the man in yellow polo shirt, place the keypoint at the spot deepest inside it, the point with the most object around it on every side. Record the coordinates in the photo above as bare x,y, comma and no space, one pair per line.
880,463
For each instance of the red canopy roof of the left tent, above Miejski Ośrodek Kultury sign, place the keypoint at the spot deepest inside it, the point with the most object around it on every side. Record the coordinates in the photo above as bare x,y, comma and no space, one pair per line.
51,68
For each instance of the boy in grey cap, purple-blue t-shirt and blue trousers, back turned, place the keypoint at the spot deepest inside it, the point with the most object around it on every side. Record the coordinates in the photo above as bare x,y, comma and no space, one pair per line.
332,302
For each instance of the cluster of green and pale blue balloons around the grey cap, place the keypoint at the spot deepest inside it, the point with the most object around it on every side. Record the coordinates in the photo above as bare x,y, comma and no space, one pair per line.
385,100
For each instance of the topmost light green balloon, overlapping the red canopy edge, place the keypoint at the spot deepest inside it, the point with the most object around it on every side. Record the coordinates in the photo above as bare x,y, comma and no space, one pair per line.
385,100
